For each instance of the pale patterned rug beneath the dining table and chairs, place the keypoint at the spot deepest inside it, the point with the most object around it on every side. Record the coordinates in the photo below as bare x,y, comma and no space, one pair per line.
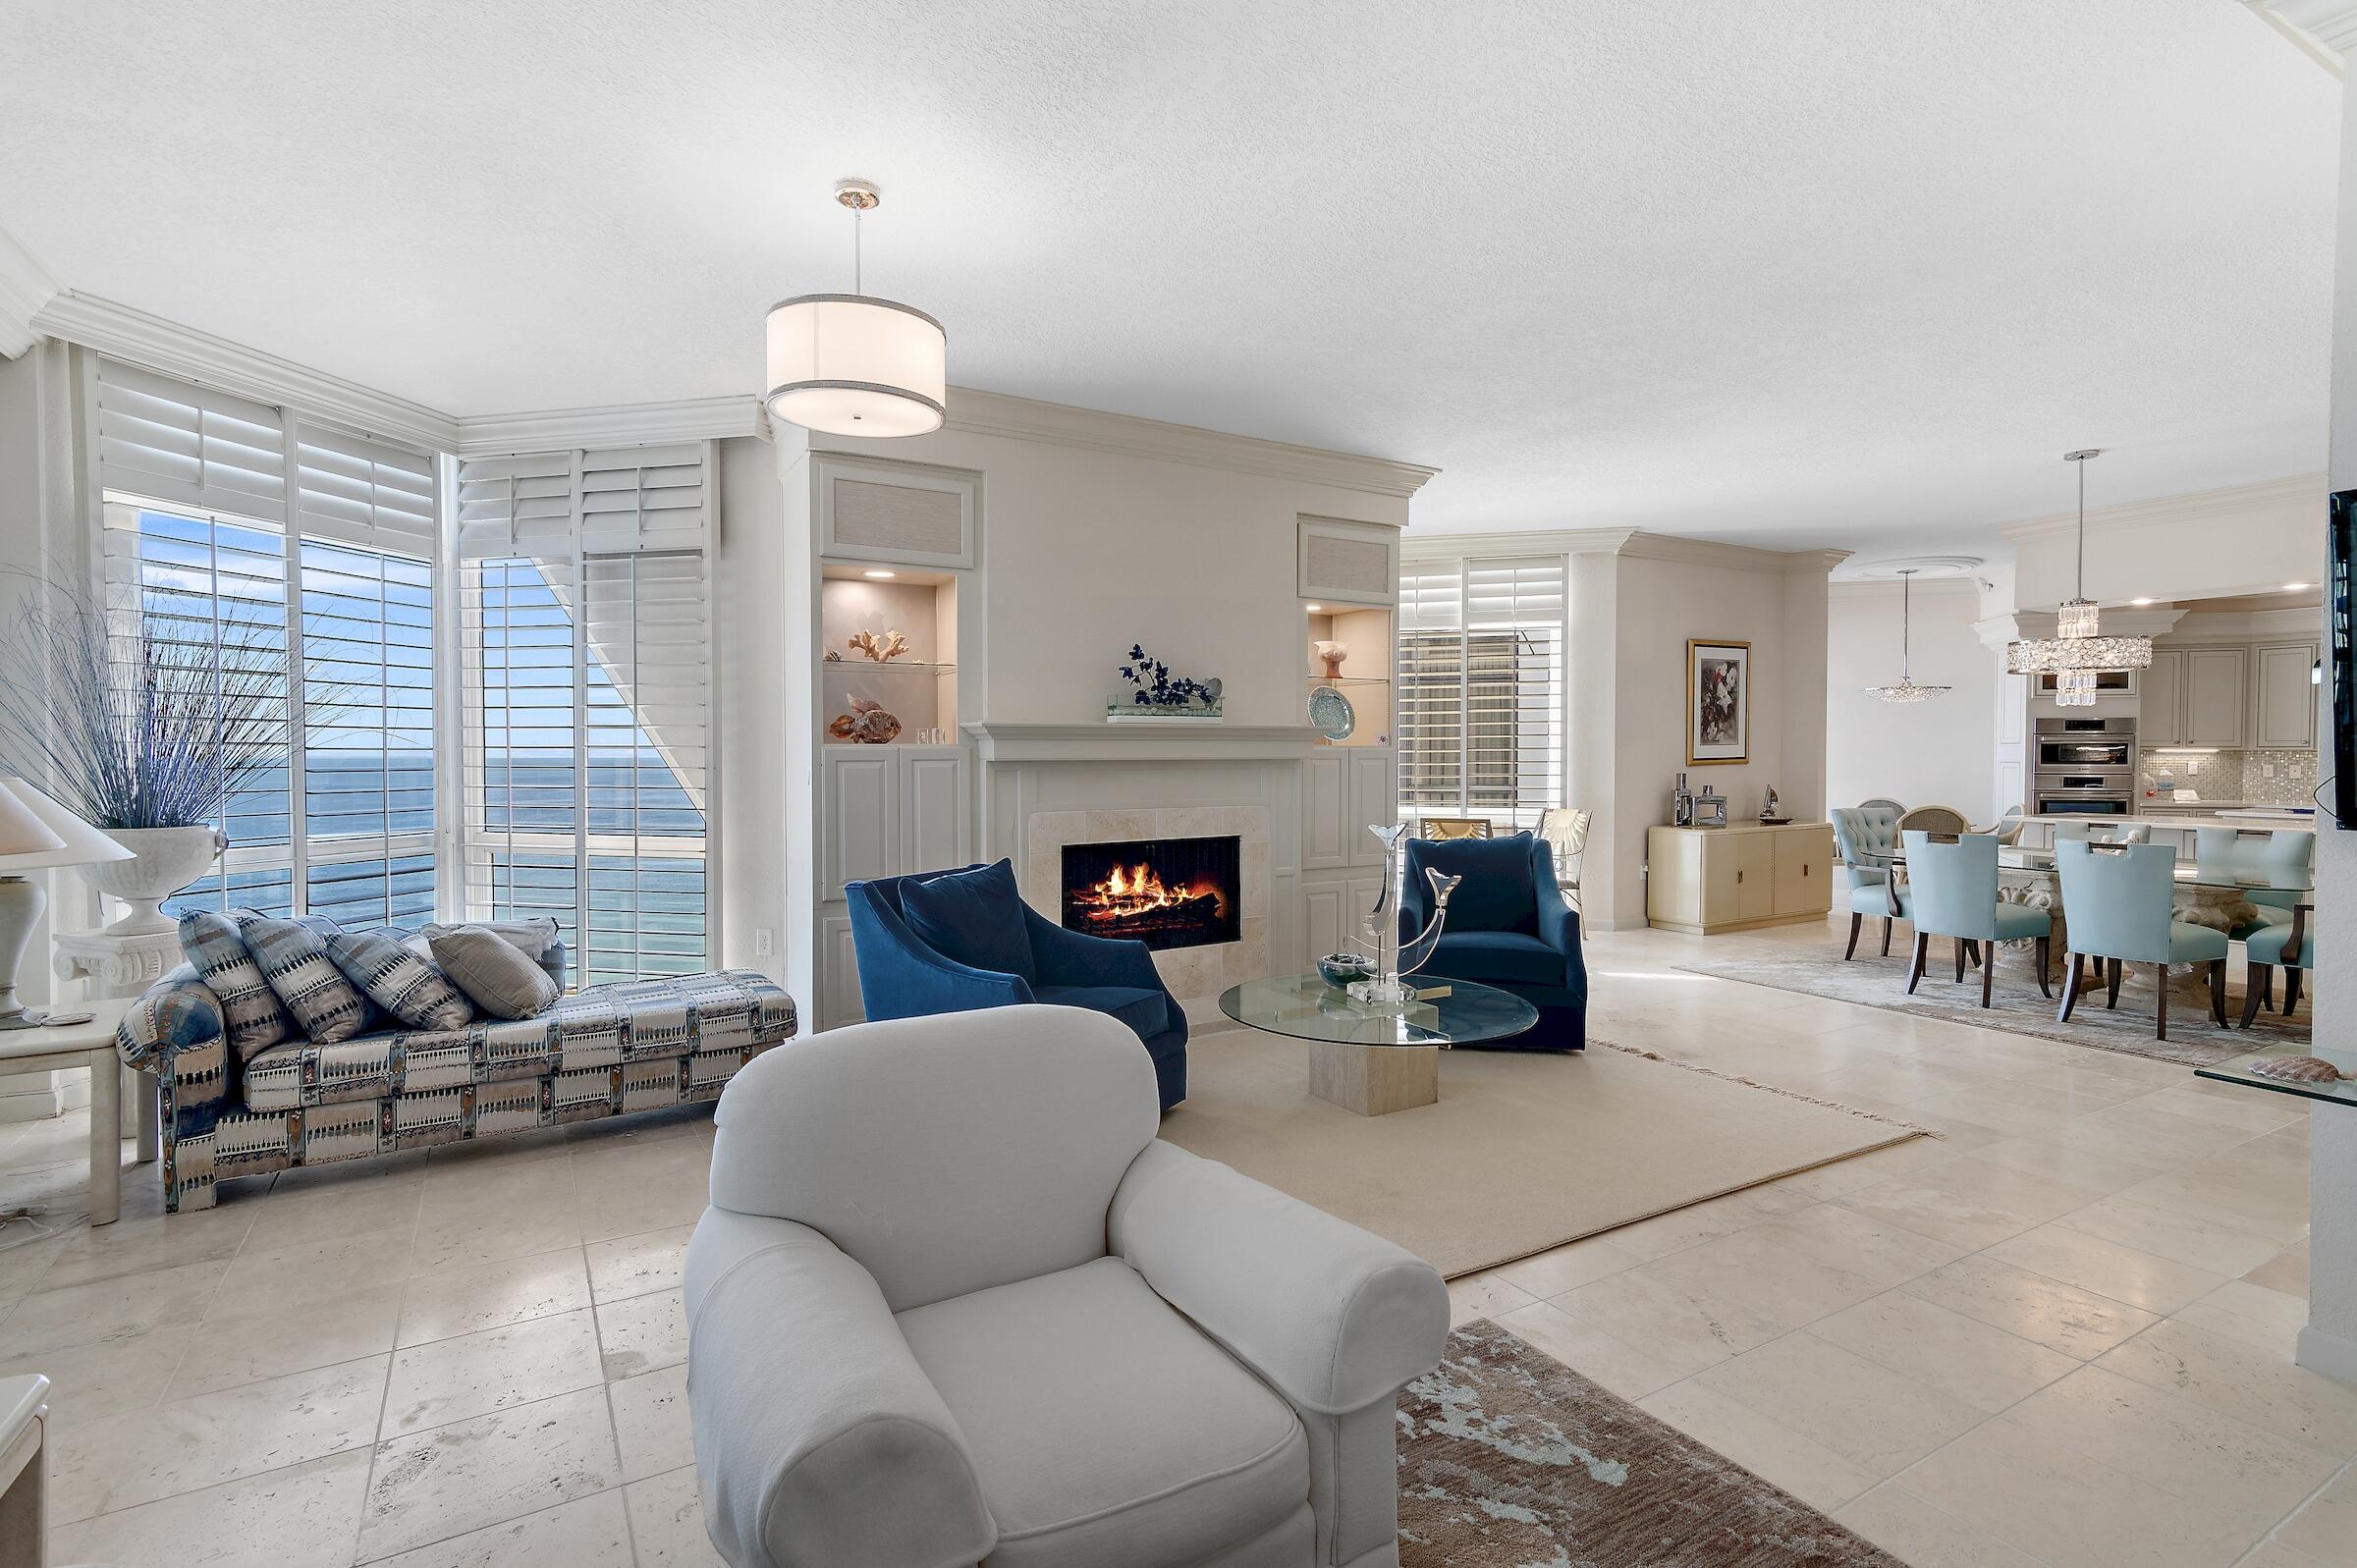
2019,1008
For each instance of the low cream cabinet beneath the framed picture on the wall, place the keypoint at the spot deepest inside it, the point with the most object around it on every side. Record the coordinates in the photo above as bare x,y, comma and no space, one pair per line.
1736,878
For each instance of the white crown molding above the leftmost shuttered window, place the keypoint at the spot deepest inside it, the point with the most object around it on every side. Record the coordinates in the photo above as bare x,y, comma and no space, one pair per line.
213,362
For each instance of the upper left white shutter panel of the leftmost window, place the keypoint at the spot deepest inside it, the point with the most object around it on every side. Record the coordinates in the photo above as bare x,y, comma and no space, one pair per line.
187,444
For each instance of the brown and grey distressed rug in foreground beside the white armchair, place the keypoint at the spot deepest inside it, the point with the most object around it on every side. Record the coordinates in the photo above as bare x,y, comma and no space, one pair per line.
1512,1461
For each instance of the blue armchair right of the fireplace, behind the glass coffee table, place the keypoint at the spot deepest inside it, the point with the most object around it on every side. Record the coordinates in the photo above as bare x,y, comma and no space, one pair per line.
1510,928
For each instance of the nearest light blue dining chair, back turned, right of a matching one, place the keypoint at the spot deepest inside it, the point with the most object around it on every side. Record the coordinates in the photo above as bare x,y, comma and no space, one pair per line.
2120,909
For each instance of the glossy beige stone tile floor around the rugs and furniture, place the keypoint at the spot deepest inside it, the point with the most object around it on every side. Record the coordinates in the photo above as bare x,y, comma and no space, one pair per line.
2061,1333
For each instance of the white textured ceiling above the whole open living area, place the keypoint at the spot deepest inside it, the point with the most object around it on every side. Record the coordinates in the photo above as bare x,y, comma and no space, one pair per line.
1802,275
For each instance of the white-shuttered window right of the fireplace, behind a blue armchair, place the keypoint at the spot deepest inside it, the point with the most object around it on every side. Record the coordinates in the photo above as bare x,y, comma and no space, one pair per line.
1481,690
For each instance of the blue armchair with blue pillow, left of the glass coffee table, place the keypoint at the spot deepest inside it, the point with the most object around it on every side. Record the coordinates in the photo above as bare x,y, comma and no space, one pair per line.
1031,961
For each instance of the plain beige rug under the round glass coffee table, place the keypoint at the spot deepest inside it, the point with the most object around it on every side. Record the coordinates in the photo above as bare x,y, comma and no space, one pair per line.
1521,1154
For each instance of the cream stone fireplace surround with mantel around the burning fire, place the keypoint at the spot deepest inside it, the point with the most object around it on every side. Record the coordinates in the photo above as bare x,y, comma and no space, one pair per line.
1045,786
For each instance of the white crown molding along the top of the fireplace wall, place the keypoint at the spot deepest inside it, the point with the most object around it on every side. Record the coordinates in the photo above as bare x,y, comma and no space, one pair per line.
993,414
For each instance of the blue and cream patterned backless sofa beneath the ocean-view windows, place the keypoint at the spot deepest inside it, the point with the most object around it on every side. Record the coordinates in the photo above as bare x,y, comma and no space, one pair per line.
607,1050
